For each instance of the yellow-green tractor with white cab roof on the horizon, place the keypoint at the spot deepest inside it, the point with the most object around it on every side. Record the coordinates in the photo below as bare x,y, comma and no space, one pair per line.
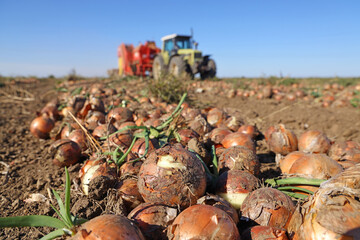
179,58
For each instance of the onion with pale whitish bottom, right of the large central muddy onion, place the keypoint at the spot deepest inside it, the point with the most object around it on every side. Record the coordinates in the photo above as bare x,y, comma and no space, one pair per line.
235,185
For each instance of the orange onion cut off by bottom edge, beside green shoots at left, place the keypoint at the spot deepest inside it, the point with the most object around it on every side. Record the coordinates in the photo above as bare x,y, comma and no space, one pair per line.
115,227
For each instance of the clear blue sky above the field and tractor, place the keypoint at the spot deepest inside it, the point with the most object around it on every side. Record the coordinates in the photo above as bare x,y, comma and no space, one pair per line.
246,38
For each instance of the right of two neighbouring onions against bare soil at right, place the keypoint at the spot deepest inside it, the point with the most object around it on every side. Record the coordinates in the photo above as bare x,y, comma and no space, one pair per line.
314,141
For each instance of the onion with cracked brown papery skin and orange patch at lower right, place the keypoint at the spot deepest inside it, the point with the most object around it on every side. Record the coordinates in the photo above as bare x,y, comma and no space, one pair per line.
268,207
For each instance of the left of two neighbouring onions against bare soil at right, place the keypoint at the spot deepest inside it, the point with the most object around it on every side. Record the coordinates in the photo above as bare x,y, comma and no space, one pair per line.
282,140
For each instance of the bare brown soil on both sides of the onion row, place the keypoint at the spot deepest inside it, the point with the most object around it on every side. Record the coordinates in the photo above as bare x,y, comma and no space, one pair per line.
27,169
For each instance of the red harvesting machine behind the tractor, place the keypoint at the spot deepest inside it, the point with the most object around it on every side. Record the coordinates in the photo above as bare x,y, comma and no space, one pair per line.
137,61
